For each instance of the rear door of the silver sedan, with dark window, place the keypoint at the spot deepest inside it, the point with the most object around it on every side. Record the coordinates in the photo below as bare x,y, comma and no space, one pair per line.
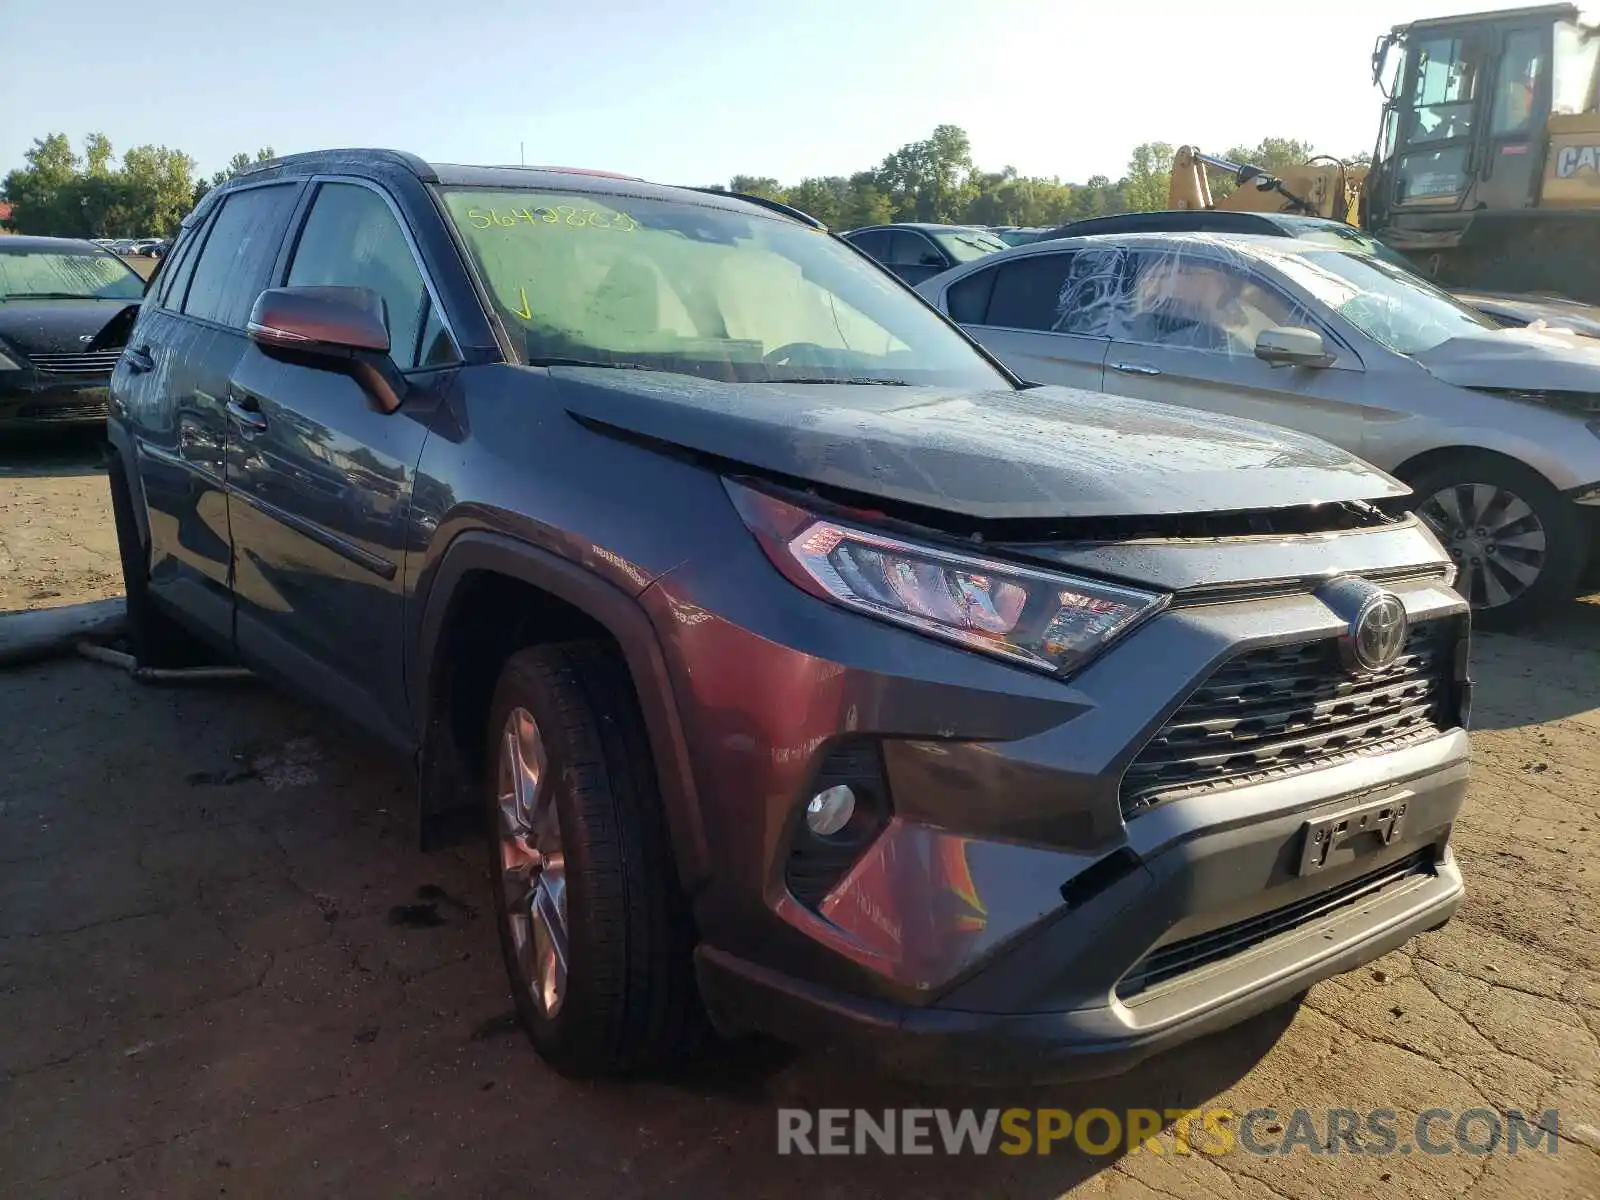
1038,316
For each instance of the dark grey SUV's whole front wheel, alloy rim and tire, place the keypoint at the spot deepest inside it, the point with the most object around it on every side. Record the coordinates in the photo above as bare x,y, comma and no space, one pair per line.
594,927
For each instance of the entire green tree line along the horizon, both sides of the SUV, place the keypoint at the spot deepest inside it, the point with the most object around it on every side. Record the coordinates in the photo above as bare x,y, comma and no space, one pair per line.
65,193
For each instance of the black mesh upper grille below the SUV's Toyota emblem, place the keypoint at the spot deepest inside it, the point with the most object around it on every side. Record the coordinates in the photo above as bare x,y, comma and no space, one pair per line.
1287,710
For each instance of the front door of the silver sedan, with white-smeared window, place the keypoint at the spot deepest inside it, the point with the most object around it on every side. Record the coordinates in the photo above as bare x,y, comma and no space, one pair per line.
1188,338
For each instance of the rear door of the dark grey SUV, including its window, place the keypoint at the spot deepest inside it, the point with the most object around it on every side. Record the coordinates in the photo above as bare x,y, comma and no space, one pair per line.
172,386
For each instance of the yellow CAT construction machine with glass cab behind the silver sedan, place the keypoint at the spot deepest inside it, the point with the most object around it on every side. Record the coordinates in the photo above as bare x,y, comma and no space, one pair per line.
1487,169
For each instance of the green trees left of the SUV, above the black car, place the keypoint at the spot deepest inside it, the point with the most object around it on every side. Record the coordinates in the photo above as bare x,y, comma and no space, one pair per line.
65,193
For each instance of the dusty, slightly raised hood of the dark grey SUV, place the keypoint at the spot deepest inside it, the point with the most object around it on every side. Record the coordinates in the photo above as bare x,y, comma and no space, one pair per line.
993,455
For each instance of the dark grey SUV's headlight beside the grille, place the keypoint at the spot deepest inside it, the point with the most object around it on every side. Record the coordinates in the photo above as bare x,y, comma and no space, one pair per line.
1038,618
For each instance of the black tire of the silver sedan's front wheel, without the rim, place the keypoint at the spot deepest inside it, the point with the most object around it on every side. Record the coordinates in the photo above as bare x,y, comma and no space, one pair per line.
1566,537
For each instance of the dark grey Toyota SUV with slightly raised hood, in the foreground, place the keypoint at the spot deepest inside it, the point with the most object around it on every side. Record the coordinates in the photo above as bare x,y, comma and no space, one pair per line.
871,697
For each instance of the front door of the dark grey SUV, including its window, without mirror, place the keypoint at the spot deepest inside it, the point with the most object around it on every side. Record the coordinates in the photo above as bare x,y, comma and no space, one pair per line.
321,479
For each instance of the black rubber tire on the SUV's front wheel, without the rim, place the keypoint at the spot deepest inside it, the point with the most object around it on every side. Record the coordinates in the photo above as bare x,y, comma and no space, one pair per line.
631,1004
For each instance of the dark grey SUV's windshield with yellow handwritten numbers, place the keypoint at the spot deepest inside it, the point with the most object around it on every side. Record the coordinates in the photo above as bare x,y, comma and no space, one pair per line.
703,290
